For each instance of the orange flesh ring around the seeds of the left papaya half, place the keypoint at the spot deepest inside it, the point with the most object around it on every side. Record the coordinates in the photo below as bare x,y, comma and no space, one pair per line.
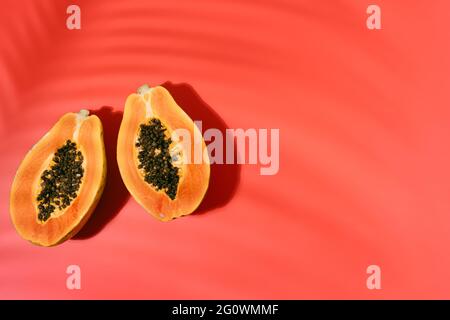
87,133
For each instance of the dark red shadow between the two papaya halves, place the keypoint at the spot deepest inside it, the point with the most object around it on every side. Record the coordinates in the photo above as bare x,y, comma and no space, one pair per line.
115,195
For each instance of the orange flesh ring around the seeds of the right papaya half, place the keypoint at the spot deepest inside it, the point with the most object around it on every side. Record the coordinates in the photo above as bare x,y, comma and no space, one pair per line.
194,178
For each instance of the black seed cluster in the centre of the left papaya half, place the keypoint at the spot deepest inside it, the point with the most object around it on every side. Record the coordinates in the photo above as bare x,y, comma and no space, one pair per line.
60,183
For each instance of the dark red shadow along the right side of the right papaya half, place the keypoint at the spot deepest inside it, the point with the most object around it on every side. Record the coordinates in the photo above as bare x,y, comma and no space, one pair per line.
224,178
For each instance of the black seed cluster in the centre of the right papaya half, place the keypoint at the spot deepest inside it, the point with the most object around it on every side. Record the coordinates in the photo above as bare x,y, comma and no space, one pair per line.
154,158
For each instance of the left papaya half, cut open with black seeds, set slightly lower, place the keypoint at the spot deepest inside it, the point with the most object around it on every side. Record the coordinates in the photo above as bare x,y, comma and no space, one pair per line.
60,180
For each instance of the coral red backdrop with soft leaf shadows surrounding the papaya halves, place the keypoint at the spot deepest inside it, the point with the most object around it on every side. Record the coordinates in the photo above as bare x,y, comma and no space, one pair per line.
364,158
